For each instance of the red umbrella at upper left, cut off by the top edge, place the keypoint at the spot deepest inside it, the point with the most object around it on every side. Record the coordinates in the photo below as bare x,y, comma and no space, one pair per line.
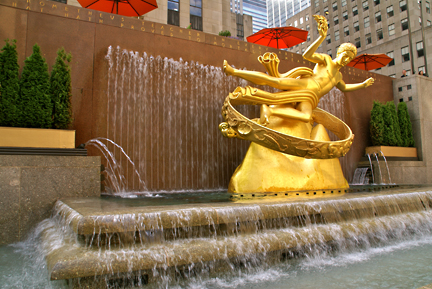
121,7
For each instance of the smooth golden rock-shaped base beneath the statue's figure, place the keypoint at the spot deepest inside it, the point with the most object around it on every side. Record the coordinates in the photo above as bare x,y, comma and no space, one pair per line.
264,170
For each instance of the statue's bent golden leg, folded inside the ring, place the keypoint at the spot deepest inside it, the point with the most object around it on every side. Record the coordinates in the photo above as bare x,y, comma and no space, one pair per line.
302,112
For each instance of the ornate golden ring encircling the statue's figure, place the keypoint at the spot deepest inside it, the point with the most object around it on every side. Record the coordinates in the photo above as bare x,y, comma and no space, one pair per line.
237,125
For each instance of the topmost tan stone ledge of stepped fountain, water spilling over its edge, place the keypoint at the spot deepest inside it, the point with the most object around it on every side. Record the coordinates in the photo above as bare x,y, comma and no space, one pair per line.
106,215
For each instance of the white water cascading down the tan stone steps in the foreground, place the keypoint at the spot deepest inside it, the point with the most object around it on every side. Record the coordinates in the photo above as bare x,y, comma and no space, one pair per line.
238,245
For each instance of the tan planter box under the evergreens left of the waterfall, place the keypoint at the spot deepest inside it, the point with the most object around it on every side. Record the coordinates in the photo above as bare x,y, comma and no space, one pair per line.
36,137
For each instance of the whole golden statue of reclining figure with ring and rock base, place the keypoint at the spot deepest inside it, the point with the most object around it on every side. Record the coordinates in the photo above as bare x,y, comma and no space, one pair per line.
287,152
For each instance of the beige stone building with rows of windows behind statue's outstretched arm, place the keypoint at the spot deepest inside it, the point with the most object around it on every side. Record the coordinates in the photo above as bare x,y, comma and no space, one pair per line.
399,28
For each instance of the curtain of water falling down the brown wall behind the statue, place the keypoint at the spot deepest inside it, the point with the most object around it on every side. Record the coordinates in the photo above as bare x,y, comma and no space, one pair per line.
164,114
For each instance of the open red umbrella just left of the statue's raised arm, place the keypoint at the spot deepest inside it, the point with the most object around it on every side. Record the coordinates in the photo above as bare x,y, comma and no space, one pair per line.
279,37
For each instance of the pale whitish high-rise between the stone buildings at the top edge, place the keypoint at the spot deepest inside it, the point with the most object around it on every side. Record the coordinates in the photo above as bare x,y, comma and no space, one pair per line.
278,11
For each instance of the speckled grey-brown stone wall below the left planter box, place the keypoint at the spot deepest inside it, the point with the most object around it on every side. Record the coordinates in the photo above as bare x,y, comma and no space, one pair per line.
30,185
